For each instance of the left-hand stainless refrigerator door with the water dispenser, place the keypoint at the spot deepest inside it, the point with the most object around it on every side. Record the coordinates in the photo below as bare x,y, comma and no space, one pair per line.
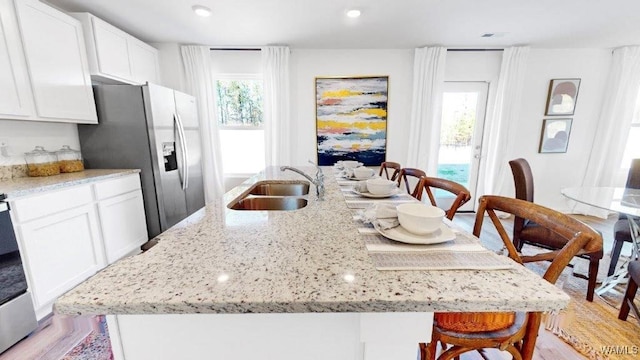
167,155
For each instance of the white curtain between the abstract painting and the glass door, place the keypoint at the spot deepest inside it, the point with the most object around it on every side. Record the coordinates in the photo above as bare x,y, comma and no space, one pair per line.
426,109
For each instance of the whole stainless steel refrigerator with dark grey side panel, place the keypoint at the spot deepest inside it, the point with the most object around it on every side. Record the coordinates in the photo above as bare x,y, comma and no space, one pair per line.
156,130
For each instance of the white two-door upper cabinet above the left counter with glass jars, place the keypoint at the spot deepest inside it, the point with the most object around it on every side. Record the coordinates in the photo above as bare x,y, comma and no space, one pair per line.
44,74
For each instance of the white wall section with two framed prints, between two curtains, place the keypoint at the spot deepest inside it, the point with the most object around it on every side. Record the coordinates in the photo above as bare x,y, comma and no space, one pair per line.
552,172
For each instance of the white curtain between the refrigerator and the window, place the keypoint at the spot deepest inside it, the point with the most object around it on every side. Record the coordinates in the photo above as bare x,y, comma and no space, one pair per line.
197,65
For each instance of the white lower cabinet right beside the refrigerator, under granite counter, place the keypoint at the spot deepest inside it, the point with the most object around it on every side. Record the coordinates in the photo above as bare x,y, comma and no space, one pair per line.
122,219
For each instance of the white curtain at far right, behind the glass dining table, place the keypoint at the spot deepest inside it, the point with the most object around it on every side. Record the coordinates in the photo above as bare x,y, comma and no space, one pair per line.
614,122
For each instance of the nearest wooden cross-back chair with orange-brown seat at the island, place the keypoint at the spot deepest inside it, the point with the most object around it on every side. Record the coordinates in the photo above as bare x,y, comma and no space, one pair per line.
514,332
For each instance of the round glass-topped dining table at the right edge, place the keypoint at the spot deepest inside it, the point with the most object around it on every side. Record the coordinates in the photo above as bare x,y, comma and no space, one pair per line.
616,199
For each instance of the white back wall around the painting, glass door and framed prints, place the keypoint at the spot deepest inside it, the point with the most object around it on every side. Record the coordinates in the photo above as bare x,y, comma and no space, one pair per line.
551,171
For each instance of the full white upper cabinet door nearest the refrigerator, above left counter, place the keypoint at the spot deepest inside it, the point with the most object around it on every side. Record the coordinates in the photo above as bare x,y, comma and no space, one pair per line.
56,58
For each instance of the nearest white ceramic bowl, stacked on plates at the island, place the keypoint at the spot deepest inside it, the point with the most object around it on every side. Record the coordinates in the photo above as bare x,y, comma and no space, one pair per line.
419,218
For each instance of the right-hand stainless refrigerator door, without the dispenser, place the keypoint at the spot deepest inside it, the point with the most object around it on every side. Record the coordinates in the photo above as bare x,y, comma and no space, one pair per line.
187,112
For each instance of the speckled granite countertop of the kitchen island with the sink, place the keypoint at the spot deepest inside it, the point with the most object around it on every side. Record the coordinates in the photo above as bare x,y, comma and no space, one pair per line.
227,261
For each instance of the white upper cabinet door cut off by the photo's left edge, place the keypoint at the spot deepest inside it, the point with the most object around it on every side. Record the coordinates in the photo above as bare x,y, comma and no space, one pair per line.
15,92
